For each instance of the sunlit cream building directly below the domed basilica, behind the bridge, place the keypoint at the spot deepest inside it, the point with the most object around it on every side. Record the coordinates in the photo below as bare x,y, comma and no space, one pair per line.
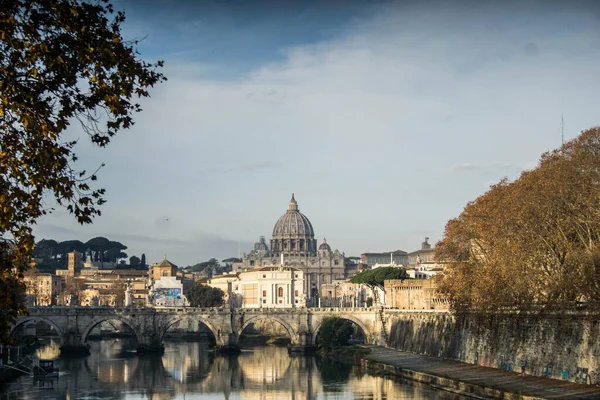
272,286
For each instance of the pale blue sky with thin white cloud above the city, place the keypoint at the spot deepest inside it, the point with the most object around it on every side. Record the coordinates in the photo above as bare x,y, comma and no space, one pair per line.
385,118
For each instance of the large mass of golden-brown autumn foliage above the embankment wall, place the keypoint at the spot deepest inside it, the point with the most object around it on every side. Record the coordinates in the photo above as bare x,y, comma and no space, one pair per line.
533,241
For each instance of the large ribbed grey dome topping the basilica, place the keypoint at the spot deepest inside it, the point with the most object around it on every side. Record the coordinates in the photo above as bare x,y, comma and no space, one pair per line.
293,233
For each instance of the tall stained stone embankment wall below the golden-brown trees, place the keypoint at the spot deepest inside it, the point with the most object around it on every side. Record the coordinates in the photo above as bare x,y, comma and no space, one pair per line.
561,346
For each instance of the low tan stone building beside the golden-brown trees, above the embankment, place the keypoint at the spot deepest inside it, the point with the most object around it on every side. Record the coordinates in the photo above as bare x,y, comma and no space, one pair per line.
414,294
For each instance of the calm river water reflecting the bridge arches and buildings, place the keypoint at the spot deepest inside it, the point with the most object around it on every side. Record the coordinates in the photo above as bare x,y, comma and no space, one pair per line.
189,370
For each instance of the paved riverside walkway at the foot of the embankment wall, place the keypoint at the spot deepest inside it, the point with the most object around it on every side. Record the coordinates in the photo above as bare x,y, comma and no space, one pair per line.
473,380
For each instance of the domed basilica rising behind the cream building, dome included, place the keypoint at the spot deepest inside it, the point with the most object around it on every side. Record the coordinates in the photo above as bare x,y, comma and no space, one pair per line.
293,244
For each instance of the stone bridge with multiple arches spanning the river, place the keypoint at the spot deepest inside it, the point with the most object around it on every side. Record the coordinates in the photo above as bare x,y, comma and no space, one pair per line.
74,324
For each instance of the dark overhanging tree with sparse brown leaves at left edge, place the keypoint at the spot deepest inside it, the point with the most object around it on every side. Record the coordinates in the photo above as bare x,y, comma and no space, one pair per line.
61,61
